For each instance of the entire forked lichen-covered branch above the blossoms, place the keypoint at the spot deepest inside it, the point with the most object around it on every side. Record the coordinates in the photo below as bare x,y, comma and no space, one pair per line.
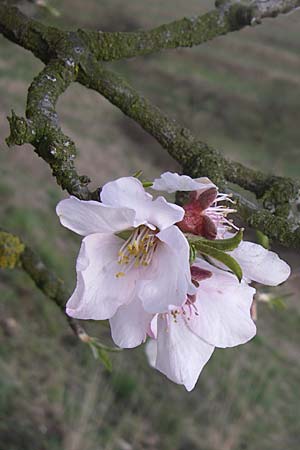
70,56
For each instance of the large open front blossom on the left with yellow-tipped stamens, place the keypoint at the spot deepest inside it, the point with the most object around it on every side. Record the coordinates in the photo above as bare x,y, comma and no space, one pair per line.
151,267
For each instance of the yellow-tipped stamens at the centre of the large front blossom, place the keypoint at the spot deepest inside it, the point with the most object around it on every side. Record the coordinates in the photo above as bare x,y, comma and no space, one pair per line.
138,250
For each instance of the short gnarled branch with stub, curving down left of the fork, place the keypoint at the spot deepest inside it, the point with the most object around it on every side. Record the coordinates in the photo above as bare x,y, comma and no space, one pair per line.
41,127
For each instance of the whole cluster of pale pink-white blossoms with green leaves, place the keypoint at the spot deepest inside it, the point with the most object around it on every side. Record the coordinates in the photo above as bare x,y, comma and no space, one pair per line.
135,269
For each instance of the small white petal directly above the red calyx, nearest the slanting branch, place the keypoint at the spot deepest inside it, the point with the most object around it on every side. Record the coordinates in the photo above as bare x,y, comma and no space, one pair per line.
172,182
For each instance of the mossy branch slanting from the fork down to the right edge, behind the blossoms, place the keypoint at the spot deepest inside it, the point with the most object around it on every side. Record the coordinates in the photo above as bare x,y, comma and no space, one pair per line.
278,216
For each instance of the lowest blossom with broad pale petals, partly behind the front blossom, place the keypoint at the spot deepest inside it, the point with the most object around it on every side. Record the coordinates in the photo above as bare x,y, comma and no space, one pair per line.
185,338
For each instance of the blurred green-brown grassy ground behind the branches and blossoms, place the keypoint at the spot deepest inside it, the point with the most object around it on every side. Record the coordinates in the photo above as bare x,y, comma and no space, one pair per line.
240,93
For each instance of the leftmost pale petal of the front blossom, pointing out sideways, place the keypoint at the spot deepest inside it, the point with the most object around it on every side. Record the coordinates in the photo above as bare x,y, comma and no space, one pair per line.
88,217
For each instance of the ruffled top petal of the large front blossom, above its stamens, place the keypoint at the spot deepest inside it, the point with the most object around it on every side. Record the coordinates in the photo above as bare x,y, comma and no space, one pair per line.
128,192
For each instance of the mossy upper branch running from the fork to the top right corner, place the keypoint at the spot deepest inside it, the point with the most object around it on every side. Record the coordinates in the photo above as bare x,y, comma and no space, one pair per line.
230,15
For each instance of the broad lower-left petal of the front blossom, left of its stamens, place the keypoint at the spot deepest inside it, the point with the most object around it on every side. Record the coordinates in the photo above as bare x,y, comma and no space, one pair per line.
99,293
